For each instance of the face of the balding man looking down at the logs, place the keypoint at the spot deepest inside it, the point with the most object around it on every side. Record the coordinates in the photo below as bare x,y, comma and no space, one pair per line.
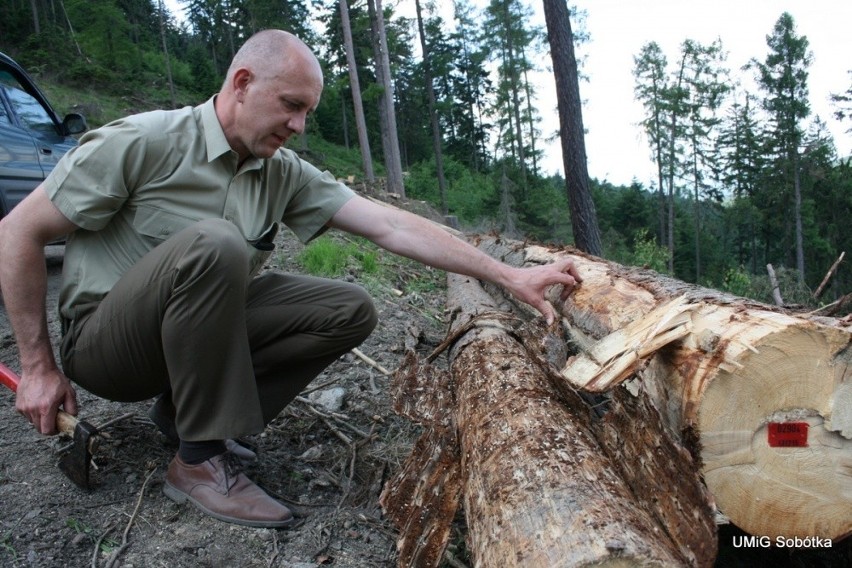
276,105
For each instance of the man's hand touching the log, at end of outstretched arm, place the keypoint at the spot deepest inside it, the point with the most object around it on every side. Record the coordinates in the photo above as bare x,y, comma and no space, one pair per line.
530,284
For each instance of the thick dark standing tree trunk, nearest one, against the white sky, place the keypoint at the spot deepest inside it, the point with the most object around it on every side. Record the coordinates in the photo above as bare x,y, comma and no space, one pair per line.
584,221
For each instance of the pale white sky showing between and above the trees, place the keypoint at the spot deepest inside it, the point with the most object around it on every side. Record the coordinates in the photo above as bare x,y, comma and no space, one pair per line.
616,148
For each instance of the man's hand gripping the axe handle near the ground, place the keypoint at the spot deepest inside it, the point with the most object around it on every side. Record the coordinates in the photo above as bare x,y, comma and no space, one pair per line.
40,396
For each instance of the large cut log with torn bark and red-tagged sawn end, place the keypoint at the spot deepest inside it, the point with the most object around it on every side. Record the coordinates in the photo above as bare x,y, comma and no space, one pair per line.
762,395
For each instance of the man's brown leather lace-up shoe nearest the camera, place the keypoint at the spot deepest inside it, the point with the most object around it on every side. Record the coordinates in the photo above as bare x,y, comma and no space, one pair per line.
219,488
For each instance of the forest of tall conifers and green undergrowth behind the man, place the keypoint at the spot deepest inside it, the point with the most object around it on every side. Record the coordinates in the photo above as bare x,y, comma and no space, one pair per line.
443,104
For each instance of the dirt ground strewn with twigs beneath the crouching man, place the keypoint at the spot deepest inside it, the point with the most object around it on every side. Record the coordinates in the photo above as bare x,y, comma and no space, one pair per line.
327,466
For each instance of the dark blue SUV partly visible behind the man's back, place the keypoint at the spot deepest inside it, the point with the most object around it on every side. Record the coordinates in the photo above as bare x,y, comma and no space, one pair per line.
32,137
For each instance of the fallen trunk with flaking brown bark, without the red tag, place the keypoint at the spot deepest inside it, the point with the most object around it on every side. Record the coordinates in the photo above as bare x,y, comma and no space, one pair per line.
539,487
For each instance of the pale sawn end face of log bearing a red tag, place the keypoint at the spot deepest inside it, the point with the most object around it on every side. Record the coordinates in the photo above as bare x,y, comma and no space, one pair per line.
774,429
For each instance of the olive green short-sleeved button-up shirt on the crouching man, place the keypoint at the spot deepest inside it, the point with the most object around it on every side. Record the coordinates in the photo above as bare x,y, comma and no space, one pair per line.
135,182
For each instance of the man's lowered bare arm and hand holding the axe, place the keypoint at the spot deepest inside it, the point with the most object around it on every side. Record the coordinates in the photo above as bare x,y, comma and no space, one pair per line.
23,279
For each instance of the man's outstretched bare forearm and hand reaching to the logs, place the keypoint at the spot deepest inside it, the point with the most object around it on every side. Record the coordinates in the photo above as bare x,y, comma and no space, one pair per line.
414,237
